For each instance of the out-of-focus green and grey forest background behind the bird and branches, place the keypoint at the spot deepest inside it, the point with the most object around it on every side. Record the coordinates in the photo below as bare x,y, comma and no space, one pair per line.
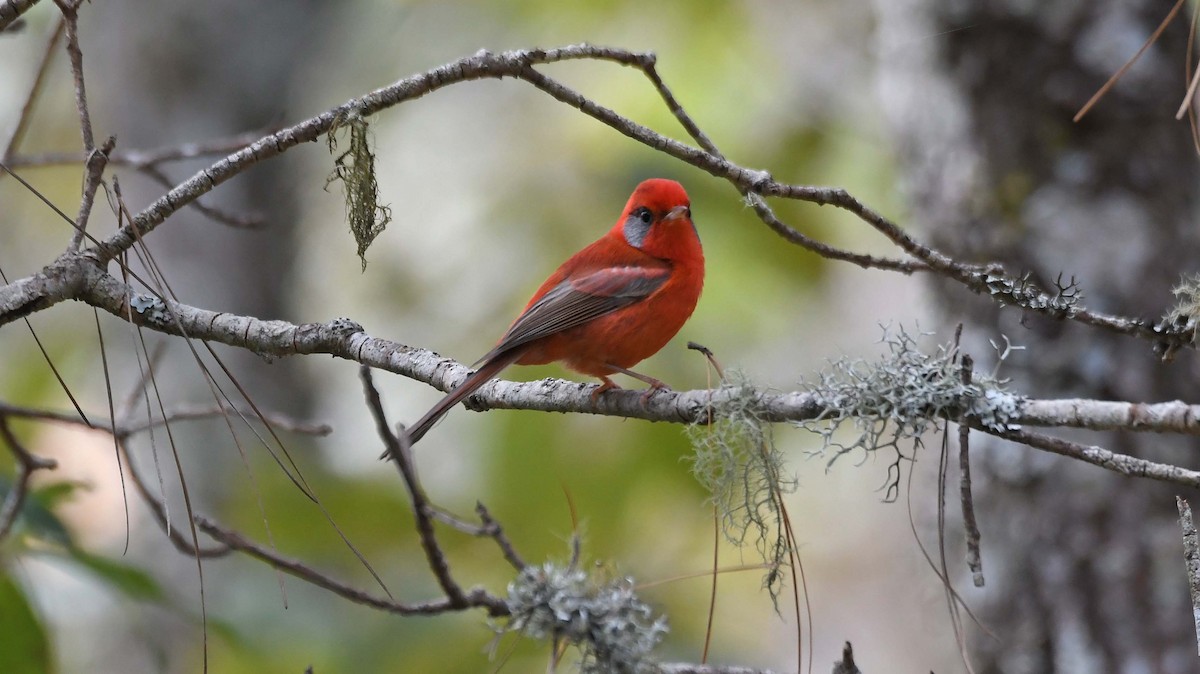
950,118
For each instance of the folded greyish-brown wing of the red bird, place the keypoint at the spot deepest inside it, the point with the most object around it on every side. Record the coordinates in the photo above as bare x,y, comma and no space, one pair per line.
577,302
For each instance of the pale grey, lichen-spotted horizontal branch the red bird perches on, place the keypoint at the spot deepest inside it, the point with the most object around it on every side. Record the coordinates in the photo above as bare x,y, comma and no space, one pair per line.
345,339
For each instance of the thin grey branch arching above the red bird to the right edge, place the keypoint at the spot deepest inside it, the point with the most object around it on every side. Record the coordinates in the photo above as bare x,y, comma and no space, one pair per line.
977,279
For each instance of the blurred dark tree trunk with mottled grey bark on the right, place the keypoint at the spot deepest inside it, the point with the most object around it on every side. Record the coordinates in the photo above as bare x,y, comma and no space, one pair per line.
1084,569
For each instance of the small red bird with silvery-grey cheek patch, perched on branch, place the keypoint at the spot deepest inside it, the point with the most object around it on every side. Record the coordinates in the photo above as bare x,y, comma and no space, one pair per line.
610,306
